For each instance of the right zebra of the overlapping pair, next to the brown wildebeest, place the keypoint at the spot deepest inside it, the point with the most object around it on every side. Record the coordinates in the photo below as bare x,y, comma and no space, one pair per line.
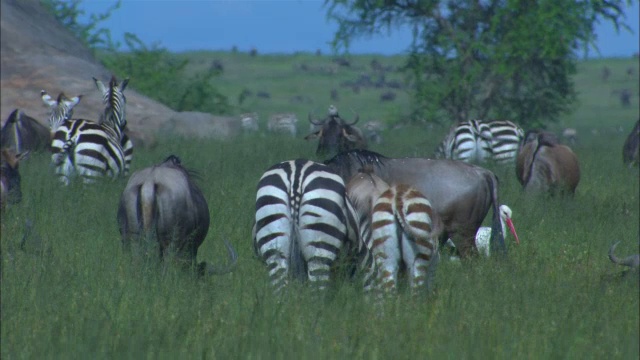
506,140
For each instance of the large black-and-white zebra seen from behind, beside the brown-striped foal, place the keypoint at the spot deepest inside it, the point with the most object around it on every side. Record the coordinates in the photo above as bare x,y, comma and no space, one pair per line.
303,221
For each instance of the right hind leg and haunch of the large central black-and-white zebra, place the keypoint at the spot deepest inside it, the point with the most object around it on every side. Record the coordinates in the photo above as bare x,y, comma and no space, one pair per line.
322,234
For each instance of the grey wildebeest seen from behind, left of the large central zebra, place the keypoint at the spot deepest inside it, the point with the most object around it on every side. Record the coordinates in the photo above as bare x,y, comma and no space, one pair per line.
164,202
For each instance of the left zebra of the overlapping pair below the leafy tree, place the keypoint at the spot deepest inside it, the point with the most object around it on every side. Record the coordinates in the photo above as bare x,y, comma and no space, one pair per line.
469,141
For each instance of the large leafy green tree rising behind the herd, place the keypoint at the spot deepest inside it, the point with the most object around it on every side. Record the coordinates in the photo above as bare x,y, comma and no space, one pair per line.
509,59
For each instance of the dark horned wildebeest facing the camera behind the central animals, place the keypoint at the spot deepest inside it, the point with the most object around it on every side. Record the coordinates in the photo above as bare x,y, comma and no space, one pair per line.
336,135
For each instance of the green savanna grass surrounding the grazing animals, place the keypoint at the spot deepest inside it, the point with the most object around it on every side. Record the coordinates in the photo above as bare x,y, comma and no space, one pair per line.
69,291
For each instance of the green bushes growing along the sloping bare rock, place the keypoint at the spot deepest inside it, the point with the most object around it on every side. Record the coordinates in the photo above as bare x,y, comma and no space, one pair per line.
154,71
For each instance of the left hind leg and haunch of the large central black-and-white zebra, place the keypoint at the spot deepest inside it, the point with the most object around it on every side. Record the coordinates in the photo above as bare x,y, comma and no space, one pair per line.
274,232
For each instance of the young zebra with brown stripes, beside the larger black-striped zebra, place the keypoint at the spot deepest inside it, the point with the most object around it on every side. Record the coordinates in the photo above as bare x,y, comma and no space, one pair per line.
404,230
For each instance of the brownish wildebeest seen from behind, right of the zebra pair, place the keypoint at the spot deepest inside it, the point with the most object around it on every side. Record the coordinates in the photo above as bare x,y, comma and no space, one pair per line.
544,165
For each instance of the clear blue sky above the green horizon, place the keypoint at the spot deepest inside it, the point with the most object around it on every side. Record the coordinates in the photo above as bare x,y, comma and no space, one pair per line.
278,26
